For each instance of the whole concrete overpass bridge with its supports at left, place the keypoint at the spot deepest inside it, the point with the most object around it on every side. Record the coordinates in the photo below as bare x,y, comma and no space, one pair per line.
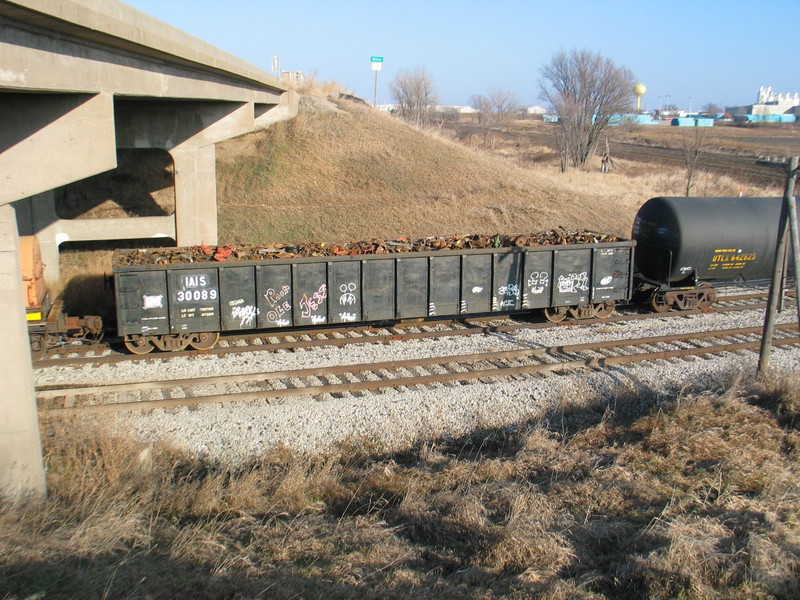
81,80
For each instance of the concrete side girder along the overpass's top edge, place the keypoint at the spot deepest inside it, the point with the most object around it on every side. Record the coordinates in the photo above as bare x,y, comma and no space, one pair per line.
124,53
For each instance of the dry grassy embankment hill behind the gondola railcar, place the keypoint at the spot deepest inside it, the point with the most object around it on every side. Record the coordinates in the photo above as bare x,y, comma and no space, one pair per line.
344,171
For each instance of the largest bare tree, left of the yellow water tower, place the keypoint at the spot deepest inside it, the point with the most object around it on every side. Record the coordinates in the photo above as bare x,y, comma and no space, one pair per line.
585,90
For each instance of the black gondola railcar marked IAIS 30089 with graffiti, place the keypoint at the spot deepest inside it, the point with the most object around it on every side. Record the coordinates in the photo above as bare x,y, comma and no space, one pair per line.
175,305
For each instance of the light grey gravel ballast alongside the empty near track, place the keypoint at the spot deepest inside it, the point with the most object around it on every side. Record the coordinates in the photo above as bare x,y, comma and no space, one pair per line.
395,419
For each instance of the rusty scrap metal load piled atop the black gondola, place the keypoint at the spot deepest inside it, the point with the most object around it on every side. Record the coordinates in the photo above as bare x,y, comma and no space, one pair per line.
233,252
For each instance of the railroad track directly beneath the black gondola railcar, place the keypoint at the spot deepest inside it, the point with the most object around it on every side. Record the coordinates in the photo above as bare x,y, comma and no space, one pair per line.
314,338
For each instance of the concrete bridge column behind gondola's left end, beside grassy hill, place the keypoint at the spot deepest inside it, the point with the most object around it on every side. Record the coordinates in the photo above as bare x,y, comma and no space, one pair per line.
195,195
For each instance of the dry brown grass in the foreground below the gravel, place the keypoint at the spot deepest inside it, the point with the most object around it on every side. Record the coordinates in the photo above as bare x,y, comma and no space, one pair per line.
626,497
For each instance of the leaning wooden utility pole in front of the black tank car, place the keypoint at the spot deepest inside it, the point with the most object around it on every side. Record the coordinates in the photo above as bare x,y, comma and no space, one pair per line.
786,225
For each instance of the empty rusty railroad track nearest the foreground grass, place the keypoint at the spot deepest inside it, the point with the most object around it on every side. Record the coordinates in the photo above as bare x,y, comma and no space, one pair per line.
55,401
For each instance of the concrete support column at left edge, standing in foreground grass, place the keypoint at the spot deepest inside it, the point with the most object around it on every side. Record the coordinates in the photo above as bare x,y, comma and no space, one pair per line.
21,464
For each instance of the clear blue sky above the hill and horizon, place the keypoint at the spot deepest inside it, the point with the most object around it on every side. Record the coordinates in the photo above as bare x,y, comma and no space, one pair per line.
684,52
